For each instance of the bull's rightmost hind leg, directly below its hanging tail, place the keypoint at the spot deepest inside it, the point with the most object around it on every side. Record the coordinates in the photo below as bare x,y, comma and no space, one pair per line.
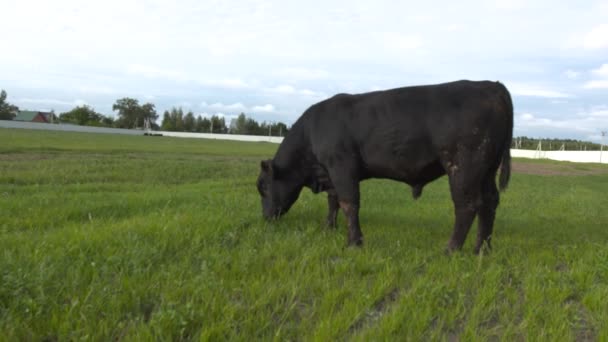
487,212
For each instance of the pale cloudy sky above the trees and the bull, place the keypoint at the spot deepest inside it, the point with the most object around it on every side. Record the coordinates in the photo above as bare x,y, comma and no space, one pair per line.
273,59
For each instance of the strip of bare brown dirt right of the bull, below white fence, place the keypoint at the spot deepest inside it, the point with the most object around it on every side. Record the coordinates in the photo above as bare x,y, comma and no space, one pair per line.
558,169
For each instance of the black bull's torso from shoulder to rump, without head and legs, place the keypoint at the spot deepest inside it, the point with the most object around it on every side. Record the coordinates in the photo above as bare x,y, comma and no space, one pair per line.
401,133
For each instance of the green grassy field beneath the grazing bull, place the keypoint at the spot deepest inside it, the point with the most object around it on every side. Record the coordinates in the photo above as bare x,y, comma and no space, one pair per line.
109,237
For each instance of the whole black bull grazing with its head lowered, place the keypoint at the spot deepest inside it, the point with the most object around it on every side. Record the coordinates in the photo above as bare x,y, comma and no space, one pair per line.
413,135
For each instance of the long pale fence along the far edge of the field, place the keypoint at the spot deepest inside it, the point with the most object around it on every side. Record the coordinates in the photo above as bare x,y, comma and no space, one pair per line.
573,156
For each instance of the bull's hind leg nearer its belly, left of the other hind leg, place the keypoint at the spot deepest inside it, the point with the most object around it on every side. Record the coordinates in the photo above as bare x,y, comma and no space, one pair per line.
465,189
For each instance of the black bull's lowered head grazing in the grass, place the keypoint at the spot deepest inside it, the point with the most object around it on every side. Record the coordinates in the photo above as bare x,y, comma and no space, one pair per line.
278,190
